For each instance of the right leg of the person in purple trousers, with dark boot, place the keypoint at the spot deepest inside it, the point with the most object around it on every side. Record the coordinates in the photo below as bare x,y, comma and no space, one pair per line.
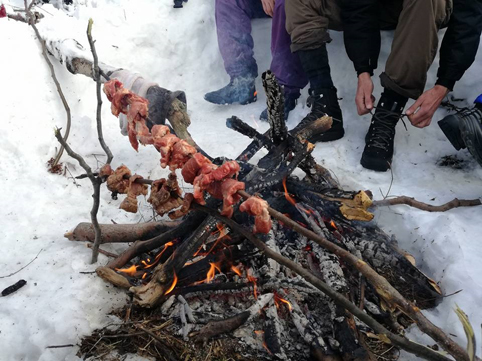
285,65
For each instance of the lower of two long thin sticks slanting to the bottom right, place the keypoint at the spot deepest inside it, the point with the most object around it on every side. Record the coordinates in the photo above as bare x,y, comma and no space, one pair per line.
402,342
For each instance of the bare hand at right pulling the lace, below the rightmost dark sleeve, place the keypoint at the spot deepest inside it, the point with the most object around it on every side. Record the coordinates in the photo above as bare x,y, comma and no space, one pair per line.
422,111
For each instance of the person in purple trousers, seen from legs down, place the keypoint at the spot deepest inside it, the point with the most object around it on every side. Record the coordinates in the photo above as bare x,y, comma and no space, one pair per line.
233,23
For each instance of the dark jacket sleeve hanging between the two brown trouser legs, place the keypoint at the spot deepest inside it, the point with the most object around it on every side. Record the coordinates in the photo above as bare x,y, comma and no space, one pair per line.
361,31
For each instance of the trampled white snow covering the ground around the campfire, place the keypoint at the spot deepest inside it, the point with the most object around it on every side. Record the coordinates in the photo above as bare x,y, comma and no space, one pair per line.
178,49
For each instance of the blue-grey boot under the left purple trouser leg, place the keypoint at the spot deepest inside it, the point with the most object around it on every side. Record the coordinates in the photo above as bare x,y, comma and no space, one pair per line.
238,91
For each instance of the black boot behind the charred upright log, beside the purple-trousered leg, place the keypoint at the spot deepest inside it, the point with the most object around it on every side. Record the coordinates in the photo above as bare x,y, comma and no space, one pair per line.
323,102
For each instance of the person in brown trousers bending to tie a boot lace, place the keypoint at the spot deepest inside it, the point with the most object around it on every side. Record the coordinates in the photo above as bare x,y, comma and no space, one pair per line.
416,23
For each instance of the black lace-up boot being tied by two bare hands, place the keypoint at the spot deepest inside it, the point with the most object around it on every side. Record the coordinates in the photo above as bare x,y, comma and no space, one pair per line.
378,152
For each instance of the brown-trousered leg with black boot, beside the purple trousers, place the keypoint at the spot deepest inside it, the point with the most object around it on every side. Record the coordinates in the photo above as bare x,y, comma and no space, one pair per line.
308,22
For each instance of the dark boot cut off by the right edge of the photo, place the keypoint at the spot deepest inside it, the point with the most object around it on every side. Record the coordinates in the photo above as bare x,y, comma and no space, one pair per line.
464,130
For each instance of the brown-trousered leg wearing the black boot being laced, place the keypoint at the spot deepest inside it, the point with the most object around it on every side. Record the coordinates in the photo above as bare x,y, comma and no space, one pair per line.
413,50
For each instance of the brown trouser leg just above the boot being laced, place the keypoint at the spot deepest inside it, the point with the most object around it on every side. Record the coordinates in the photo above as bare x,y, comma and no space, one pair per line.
414,46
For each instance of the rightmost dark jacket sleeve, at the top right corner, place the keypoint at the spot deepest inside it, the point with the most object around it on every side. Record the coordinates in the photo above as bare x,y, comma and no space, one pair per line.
460,42
